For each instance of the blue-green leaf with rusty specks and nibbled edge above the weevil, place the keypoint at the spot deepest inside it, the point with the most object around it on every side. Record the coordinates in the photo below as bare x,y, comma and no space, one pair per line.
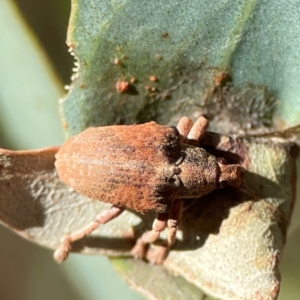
185,45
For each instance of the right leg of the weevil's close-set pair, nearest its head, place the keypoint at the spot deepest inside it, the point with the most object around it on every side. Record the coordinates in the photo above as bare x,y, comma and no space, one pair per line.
175,216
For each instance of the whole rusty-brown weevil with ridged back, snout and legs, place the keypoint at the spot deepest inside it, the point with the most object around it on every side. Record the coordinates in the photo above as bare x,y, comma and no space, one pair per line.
147,167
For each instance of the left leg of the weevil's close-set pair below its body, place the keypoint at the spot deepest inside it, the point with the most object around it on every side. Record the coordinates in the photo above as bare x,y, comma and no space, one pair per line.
159,225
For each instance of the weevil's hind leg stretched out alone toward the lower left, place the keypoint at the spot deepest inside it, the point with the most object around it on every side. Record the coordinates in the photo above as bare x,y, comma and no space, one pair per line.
62,252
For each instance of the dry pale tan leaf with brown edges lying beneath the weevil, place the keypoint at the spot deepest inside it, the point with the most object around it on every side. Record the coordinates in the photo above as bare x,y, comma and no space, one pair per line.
227,239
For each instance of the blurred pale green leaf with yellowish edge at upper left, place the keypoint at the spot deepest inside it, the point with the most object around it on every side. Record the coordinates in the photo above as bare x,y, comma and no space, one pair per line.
29,88
